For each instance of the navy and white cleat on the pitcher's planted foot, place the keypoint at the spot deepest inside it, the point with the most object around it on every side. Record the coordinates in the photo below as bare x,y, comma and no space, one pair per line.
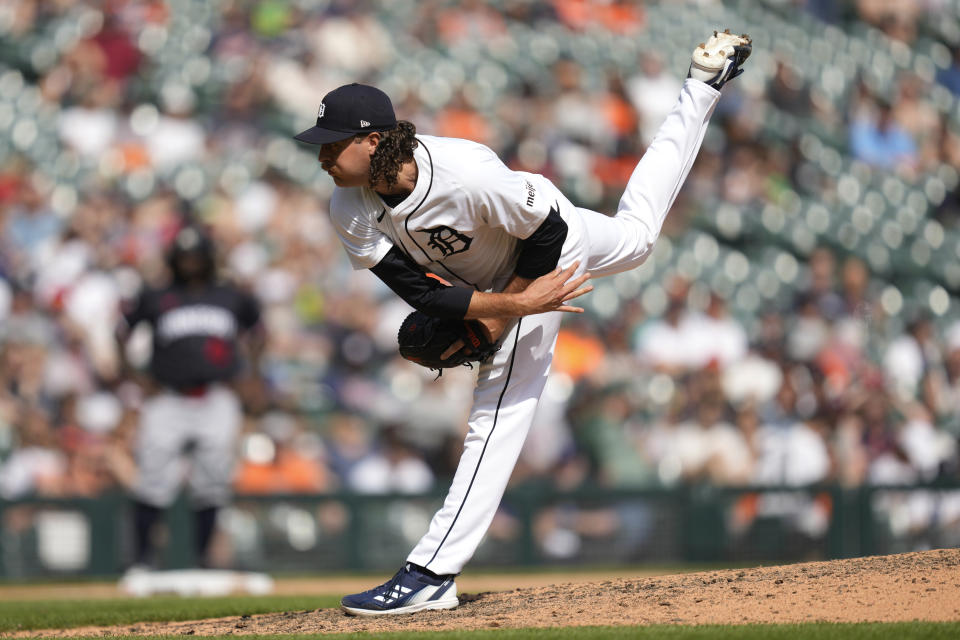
409,591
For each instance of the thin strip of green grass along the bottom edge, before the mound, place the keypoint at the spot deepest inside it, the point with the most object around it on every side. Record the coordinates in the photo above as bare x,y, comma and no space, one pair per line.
812,631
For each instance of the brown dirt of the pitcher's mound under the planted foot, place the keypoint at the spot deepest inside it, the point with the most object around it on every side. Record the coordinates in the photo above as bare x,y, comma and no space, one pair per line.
913,586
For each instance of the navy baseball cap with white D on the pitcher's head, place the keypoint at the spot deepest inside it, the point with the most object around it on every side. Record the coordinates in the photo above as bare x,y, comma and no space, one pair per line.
349,110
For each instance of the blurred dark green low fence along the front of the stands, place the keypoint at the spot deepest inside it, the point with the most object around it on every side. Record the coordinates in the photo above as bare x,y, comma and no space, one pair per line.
536,526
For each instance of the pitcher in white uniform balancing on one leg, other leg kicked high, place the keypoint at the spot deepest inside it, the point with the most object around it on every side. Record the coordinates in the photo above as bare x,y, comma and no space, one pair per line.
515,250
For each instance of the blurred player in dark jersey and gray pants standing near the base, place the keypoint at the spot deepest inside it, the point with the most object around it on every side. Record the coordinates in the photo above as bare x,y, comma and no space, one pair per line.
197,322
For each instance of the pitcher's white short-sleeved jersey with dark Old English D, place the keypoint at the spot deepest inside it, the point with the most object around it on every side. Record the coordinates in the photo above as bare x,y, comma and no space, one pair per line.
463,220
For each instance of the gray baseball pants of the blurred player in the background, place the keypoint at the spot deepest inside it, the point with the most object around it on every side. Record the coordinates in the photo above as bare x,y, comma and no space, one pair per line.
172,424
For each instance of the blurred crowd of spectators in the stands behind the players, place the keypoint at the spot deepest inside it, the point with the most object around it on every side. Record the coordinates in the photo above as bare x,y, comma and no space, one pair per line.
120,120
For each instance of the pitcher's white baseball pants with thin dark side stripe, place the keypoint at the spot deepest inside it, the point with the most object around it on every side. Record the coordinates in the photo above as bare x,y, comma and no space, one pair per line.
509,385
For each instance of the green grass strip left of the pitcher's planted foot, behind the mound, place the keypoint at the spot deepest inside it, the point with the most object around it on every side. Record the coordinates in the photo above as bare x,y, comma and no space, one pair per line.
59,614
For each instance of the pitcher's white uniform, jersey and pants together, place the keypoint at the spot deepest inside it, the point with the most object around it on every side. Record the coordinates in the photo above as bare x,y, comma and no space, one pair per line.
463,221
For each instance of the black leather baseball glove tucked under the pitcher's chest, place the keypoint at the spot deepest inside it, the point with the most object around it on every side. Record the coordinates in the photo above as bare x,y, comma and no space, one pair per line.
424,339
